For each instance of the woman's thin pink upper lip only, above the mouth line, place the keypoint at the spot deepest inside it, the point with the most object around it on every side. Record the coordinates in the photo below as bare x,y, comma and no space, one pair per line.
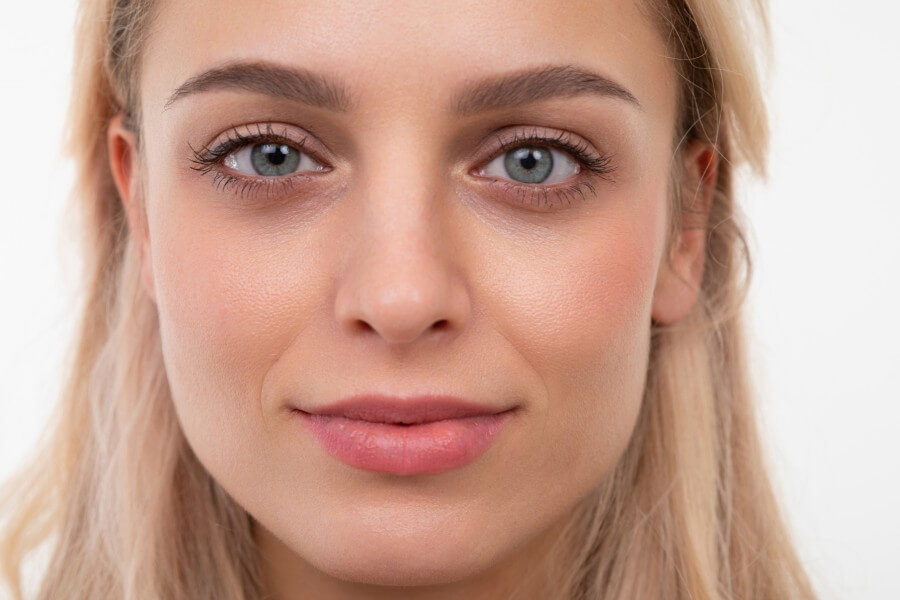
408,410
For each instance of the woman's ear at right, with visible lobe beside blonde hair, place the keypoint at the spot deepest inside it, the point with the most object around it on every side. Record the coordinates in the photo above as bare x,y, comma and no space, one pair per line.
679,278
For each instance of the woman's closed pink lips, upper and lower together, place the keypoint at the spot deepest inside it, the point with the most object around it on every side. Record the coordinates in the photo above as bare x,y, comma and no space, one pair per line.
411,436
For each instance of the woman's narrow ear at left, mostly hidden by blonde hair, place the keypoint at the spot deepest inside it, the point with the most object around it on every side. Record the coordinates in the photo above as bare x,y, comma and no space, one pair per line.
122,148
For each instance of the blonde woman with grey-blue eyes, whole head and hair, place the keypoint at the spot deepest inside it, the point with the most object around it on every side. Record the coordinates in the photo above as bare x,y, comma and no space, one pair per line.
410,300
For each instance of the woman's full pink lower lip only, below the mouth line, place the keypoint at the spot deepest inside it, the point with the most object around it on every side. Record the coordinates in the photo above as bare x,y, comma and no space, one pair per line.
406,449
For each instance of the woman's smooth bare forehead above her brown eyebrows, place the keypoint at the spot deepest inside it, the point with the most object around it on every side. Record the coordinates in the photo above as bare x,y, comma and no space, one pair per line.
406,54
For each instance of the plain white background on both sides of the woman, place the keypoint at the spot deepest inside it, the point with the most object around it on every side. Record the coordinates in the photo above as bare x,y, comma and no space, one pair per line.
825,233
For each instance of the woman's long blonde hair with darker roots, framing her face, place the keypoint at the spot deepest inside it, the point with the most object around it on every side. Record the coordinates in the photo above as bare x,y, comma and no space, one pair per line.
127,510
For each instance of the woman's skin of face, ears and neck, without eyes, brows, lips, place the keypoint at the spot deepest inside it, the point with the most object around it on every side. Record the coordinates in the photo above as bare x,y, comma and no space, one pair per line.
334,288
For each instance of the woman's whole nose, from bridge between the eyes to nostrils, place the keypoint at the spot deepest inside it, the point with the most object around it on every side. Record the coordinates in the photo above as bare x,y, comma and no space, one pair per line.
399,279
